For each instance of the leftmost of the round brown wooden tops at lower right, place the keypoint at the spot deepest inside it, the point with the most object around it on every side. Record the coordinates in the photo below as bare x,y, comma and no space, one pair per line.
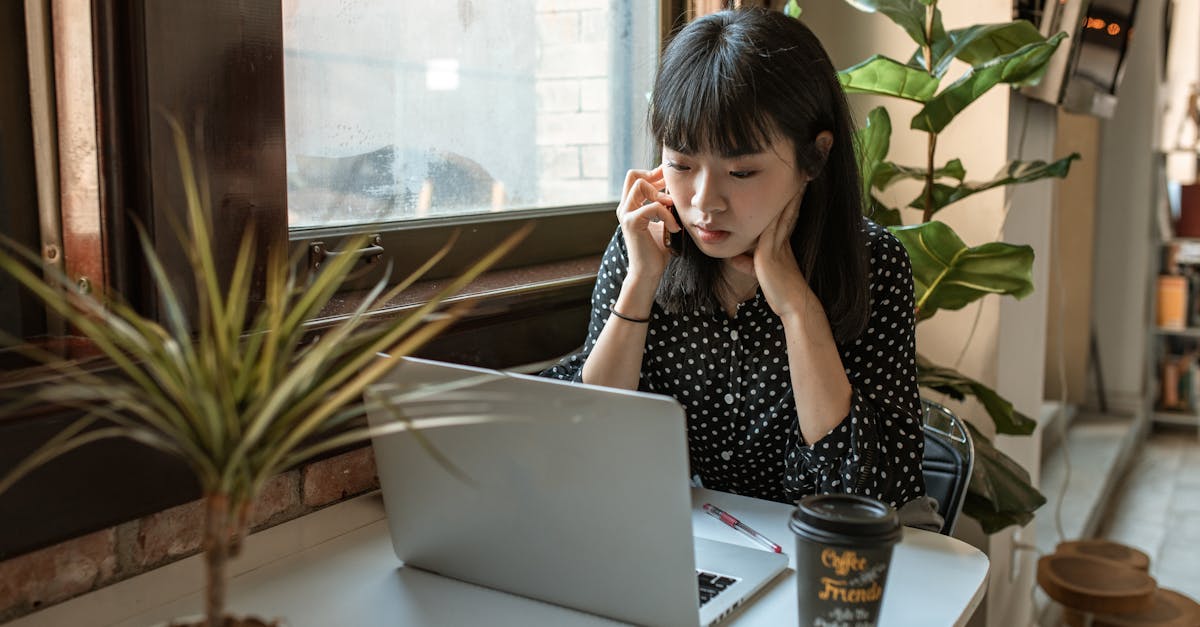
1095,586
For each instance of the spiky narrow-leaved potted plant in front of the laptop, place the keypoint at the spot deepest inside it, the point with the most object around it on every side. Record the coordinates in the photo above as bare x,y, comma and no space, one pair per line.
238,395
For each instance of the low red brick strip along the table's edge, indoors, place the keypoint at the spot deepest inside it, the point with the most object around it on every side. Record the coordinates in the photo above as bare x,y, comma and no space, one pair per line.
57,574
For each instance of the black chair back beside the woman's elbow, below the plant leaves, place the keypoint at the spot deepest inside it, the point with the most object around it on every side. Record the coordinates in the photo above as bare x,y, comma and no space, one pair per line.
949,461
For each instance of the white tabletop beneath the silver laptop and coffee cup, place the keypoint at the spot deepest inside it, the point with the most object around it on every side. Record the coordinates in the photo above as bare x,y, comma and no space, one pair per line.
338,568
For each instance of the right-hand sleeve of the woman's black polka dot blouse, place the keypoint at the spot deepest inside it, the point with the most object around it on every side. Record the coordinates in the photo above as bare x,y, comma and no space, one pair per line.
877,451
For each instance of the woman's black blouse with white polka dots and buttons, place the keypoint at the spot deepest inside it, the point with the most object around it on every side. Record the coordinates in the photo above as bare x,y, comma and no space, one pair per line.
731,375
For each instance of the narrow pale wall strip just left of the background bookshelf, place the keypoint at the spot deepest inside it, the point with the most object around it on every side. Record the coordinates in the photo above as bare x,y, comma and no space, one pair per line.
1124,222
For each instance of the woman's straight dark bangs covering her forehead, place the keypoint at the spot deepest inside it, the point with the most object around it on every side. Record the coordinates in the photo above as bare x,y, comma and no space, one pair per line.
706,100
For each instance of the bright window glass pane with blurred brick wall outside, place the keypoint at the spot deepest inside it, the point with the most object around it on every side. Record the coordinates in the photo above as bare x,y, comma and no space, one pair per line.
403,110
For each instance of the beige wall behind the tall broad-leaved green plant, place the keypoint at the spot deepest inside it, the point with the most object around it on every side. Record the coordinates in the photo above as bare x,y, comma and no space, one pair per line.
986,136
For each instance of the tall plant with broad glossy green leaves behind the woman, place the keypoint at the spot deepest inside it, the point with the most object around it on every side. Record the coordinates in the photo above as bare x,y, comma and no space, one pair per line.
949,273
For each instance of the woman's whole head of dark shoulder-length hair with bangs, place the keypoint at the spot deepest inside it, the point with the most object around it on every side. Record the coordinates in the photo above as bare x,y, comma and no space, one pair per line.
727,83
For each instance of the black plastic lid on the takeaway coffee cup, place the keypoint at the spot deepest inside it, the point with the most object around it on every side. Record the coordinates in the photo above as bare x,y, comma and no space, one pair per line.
844,518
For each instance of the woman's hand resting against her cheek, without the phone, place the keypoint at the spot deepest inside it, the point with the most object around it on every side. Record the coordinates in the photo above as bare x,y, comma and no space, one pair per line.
773,265
